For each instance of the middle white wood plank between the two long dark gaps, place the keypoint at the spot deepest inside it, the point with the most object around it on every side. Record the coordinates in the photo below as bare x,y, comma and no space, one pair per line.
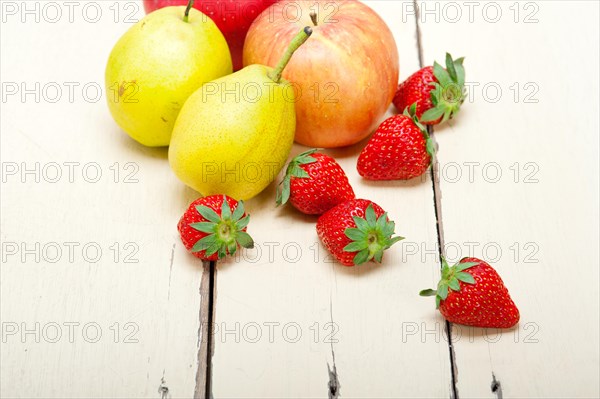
378,316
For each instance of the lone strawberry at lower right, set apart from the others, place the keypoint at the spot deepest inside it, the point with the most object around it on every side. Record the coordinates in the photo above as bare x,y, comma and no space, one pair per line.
472,293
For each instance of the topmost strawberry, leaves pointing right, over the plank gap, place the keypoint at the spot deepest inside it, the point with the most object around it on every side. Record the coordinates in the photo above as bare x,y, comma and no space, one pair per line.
438,92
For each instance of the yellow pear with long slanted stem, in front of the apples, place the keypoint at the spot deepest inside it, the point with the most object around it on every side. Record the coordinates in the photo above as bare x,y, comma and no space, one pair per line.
235,133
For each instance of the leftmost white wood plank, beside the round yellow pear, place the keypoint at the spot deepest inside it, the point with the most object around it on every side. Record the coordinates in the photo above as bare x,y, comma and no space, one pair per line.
158,294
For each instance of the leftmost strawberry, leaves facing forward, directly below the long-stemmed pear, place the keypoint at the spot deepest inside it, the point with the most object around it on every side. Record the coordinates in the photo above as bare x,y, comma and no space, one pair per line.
214,226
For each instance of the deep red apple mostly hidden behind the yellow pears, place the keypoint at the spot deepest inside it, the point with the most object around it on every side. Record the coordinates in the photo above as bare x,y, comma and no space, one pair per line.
233,18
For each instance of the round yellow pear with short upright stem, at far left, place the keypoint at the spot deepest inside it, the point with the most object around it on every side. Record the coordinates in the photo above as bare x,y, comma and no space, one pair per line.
157,64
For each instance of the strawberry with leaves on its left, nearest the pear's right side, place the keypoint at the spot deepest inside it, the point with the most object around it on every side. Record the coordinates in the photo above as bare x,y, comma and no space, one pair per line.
314,183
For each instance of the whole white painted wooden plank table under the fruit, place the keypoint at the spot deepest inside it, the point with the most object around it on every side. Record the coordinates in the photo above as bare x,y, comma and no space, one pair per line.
99,298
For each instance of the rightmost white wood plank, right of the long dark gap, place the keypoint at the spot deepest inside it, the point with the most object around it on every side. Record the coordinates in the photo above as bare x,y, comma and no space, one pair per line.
553,352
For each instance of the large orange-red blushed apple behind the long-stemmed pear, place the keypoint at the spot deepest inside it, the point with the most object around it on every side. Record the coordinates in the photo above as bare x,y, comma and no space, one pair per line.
345,76
